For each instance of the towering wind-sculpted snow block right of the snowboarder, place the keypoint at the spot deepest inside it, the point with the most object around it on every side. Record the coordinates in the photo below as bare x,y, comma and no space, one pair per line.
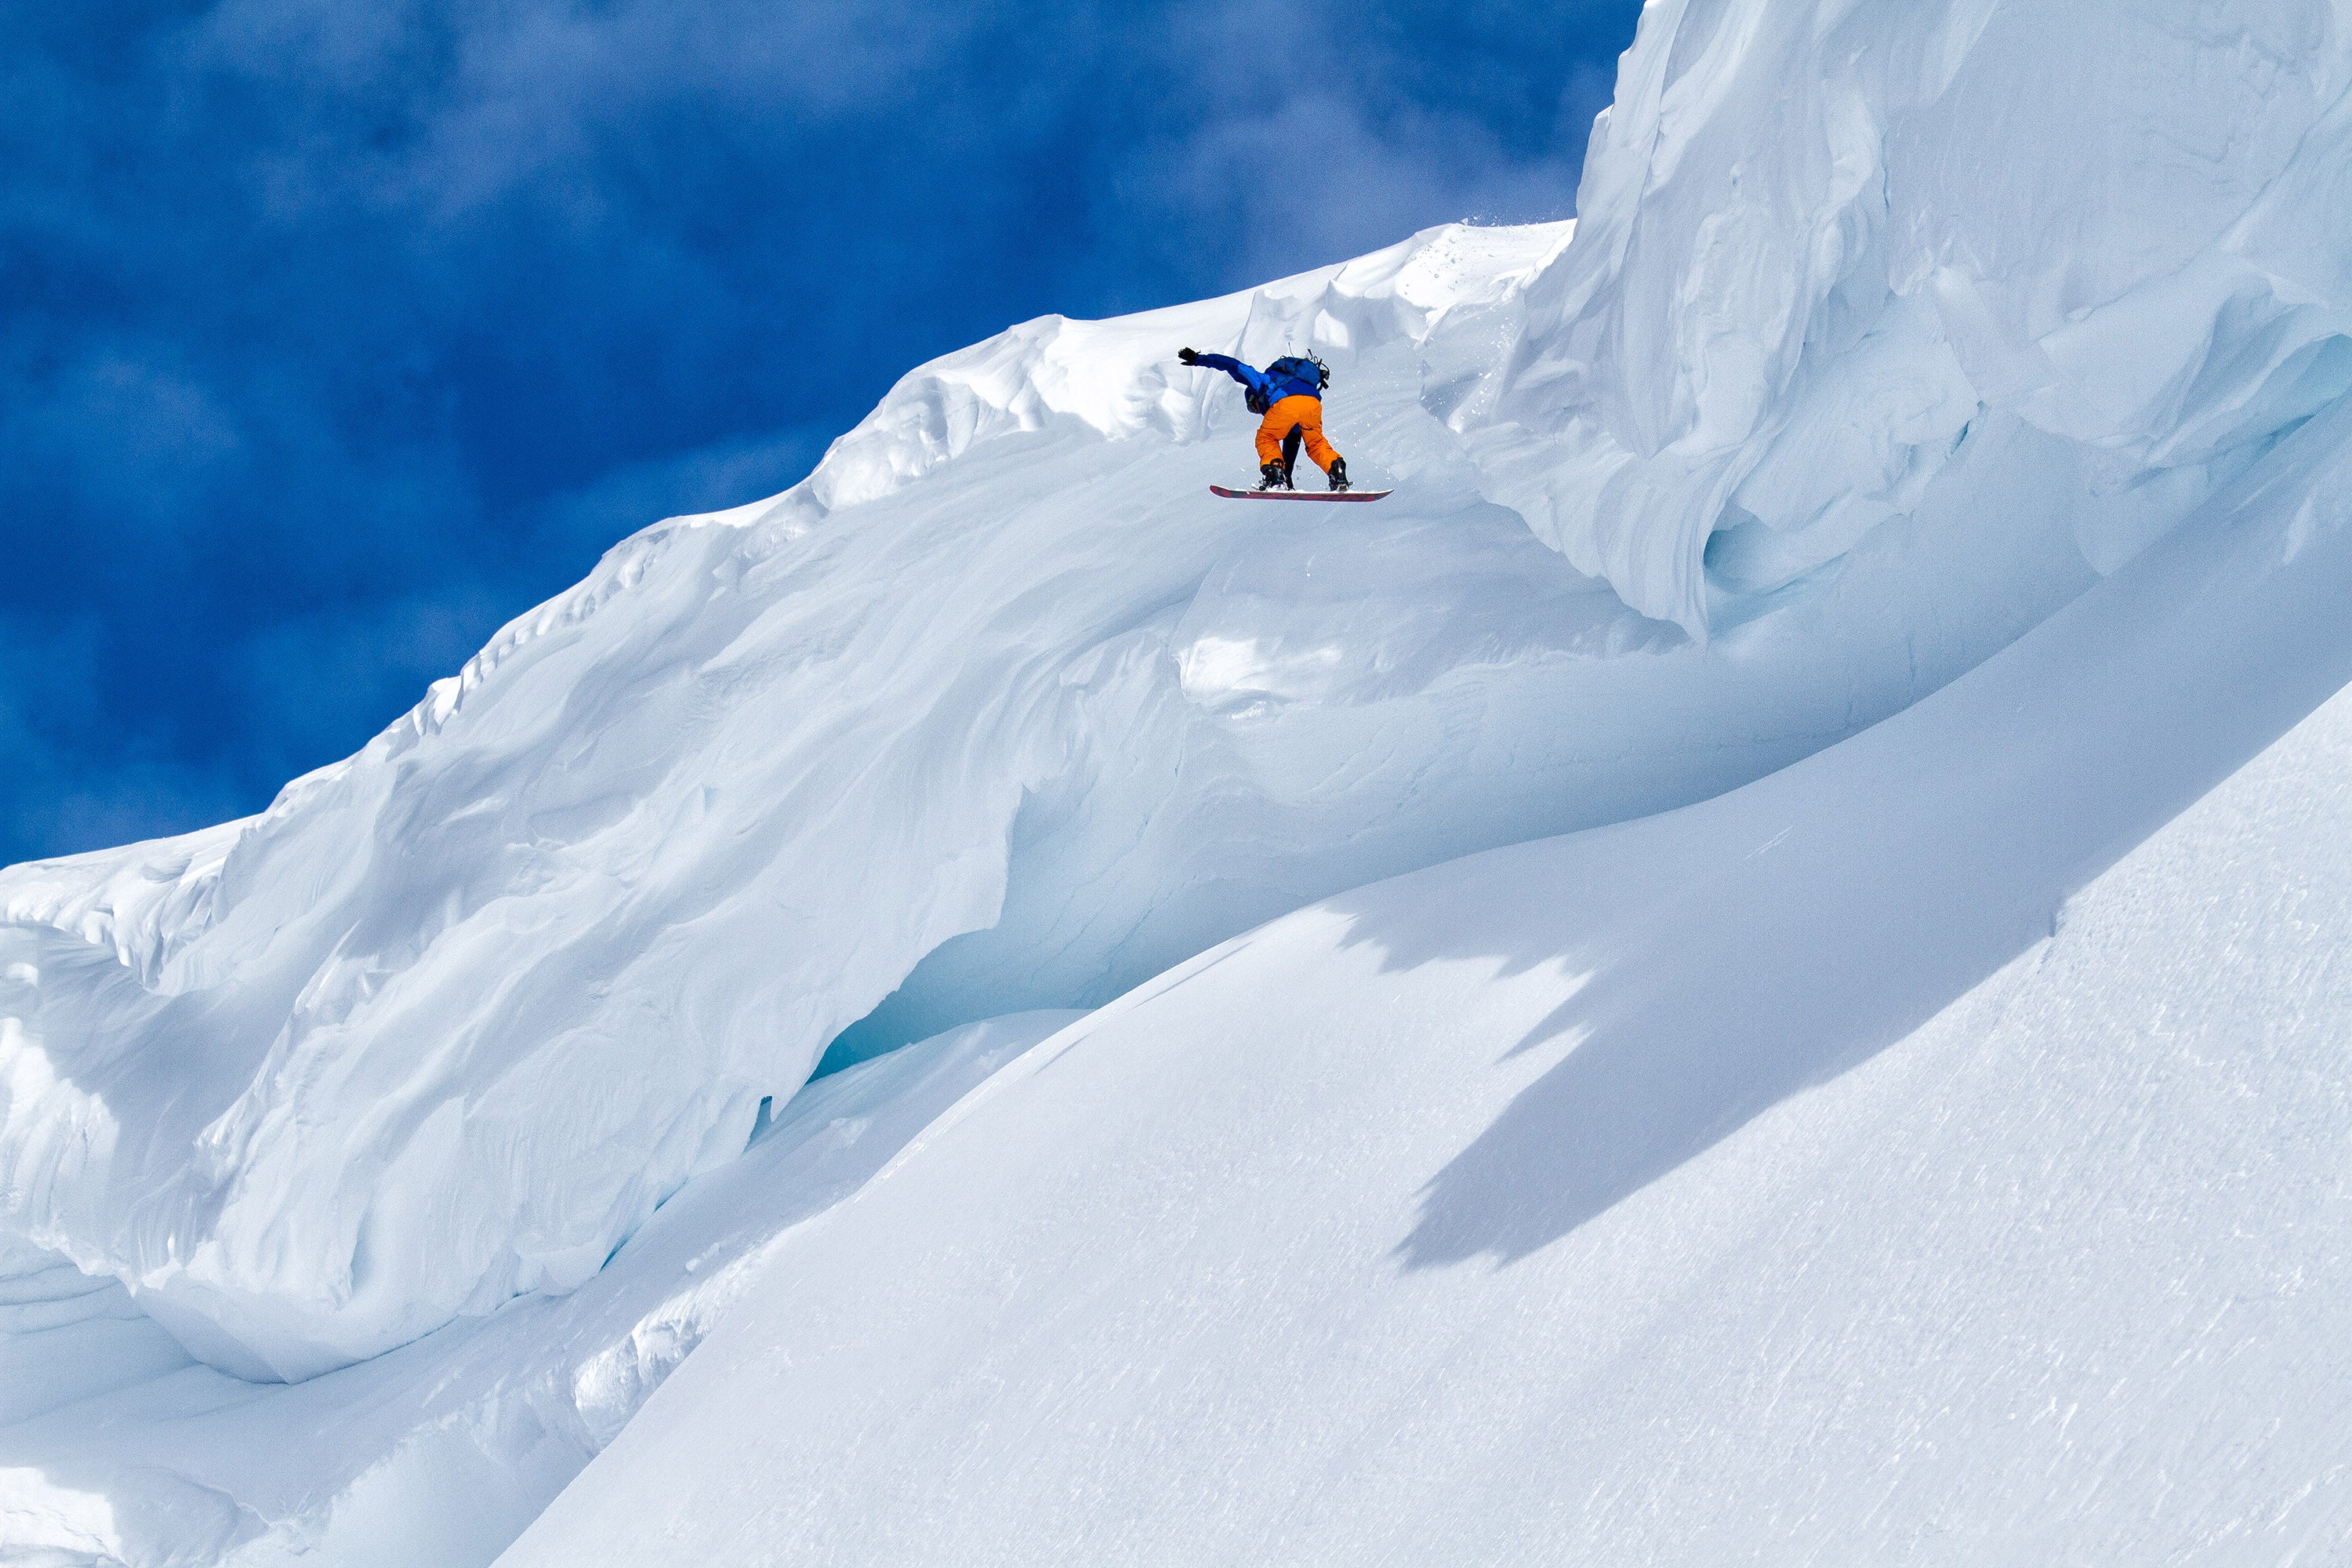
1822,243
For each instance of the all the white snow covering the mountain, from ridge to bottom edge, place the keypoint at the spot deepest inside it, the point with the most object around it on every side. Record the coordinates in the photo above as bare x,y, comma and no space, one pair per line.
1909,485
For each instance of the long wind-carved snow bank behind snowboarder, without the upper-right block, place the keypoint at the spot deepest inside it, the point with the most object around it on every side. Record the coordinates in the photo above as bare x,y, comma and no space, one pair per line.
455,1017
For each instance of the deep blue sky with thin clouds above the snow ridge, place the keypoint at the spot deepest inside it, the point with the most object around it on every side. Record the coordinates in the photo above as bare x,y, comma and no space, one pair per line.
338,333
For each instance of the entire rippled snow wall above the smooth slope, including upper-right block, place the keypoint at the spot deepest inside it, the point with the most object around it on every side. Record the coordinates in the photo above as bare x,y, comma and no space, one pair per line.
998,711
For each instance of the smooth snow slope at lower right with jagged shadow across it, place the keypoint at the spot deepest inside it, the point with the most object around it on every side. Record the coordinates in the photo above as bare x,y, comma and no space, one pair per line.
1800,1177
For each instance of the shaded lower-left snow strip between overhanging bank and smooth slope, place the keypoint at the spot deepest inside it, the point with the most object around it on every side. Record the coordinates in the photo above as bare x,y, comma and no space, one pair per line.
116,1447
